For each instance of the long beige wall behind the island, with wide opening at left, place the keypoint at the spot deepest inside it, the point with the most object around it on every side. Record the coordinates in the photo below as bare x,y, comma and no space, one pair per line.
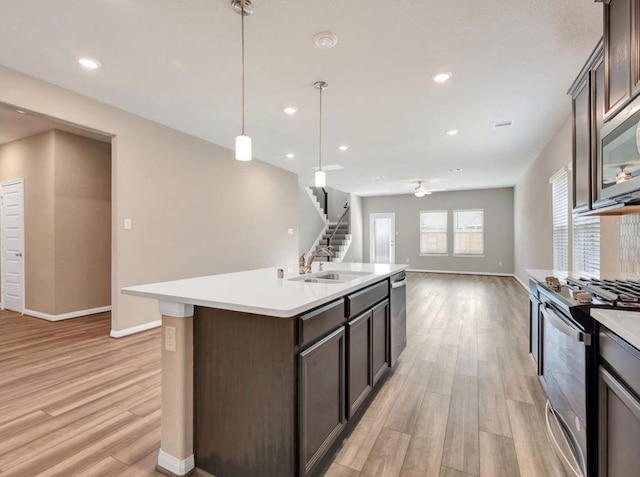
179,191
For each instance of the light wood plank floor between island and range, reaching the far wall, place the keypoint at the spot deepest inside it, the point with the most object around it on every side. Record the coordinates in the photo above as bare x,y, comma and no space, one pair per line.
464,399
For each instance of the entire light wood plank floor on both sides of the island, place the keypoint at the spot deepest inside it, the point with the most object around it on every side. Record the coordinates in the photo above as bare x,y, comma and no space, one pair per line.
463,401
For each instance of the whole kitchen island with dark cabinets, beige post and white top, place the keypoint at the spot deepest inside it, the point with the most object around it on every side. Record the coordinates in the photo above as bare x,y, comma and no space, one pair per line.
263,375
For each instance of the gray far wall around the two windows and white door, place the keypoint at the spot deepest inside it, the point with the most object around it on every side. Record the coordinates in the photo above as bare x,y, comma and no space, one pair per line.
498,221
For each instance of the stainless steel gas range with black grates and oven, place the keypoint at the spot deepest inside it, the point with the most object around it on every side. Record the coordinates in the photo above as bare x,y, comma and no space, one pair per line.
568,361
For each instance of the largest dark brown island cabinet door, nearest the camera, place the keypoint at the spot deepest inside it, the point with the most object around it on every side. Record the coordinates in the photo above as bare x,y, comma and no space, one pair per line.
321,398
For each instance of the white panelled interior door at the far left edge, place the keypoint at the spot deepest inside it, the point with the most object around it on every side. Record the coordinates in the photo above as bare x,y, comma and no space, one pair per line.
13,245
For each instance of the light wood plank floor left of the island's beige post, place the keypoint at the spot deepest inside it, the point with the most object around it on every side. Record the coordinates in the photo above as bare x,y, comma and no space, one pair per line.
74,402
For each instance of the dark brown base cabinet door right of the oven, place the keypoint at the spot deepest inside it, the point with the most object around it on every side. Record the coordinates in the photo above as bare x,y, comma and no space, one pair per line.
619,432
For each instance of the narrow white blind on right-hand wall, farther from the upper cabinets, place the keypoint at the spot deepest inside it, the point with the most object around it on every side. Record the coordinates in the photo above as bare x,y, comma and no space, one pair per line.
560,190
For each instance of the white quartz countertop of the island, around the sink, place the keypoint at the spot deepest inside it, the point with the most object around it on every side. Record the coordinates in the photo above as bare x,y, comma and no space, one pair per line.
261,292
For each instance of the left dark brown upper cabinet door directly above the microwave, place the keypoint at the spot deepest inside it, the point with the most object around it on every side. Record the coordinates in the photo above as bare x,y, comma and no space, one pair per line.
617,54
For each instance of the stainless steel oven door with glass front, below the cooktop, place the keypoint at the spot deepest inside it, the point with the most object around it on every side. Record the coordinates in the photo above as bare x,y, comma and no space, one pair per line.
564,375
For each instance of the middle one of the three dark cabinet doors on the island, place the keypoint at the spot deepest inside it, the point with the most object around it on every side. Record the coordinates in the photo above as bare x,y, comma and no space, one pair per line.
359,366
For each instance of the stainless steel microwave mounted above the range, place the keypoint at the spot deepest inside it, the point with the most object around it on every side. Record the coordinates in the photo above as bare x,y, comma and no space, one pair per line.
618,167
